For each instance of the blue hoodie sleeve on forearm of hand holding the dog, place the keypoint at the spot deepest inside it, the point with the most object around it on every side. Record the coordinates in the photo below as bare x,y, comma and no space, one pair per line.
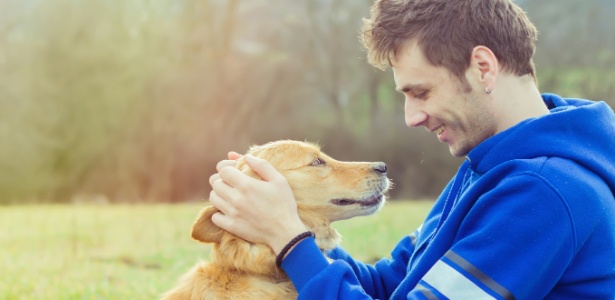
345,278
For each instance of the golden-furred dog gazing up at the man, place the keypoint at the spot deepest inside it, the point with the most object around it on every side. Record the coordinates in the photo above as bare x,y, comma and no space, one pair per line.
325,189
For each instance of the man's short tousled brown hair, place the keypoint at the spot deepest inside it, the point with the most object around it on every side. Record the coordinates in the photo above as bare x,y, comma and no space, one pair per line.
447,31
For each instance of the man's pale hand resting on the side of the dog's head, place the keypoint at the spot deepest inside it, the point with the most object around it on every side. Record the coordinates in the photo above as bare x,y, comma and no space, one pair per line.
258,211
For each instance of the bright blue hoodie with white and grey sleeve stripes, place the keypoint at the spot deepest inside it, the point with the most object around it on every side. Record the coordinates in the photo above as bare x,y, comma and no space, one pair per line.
529,215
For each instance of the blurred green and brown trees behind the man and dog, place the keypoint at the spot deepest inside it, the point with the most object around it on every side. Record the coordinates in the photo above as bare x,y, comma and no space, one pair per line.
135,101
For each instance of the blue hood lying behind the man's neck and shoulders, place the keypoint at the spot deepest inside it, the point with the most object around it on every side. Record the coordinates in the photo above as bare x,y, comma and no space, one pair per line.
576,129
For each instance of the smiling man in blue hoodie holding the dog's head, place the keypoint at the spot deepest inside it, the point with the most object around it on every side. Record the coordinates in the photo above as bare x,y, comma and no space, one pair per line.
529,215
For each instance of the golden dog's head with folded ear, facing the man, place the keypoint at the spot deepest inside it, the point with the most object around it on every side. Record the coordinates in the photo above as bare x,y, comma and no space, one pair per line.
326,190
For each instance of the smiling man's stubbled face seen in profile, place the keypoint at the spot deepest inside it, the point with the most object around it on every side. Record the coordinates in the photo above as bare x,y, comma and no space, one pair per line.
435,99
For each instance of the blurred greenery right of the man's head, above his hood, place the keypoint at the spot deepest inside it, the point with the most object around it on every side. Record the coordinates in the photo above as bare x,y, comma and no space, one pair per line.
575,47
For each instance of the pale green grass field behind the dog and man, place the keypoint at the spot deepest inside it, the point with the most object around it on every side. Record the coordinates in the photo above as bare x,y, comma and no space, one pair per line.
139,251
